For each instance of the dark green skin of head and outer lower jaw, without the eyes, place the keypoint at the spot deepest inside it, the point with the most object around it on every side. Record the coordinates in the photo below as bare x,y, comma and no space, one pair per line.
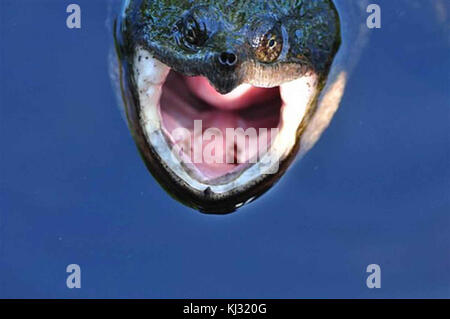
311,35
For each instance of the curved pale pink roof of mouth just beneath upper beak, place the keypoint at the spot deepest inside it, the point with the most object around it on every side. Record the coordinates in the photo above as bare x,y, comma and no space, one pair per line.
241,97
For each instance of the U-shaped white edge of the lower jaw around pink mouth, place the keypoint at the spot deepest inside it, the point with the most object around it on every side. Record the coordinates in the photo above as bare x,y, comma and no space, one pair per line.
150,75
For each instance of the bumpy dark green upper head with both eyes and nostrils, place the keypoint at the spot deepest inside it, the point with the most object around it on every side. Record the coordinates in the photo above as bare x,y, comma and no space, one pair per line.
261,42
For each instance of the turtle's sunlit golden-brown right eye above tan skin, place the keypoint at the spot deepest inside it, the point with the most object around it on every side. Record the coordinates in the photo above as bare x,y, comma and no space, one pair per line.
267,43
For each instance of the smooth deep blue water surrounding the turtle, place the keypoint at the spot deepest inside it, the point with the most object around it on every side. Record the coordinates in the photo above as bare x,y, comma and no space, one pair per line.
375,189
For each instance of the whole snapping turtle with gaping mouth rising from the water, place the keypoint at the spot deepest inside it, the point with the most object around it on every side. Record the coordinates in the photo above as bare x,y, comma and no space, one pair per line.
220,96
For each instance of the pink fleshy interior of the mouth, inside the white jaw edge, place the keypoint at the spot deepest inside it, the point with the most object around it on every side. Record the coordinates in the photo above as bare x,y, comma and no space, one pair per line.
219,134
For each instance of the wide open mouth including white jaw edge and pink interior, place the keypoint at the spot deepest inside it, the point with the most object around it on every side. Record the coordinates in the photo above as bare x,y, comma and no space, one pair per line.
215,141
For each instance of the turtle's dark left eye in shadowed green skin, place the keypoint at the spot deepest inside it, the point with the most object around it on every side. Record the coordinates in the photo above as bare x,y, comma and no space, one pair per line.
191,34
